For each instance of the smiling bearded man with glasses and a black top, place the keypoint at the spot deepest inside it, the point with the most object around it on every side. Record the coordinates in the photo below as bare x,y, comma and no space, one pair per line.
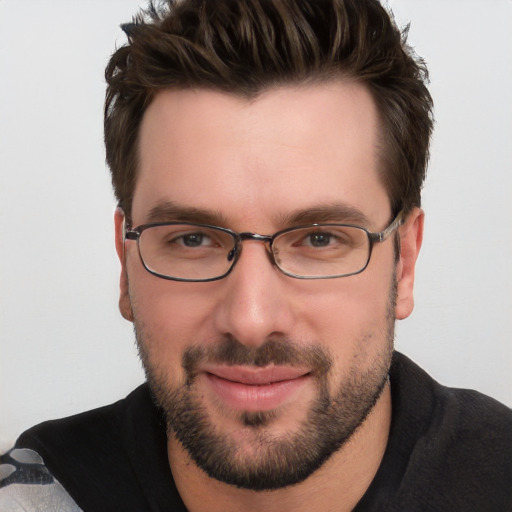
267,157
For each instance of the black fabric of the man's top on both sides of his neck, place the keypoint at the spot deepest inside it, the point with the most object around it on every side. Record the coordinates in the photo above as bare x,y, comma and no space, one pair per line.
448,450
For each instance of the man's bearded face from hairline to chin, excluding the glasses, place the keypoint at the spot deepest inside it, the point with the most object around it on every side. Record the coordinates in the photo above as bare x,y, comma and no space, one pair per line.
263,376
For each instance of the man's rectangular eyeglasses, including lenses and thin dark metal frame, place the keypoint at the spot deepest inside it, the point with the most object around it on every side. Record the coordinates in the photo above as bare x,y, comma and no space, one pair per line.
182,251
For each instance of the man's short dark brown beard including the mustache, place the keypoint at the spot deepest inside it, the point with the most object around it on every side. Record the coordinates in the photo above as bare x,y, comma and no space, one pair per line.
273,461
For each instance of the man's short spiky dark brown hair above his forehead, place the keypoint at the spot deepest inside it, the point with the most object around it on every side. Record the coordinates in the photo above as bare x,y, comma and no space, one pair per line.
244,47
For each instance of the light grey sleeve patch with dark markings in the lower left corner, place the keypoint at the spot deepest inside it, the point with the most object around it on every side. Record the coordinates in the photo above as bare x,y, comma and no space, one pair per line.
27,485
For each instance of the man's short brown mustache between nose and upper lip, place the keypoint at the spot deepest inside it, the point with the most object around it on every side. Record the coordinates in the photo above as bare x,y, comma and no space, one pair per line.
276,351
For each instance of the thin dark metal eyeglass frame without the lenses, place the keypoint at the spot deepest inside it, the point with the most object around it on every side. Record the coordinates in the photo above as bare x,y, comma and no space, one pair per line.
235,253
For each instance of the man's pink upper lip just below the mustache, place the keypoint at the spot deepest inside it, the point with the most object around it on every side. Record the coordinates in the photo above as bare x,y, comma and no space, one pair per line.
256,376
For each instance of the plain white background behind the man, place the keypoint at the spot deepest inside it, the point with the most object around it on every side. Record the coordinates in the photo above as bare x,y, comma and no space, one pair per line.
63,345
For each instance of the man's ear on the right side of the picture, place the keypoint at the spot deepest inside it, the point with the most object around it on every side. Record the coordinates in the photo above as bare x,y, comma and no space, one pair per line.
411,236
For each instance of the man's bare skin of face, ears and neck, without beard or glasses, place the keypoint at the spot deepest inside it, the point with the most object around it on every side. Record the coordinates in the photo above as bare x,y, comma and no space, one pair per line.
251,164
